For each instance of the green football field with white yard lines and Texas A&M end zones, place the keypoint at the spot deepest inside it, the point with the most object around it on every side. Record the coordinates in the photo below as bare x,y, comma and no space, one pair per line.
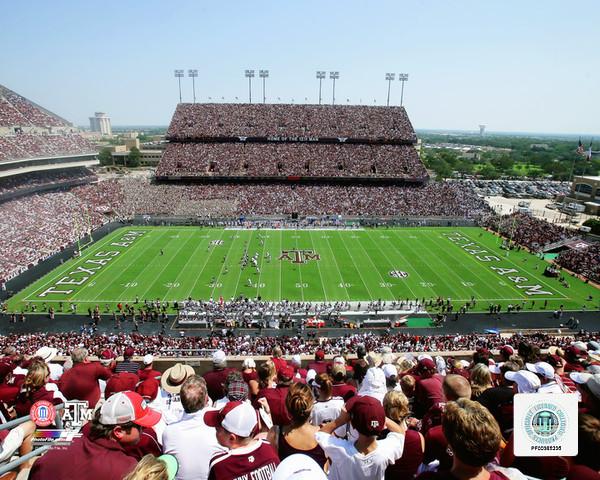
174,263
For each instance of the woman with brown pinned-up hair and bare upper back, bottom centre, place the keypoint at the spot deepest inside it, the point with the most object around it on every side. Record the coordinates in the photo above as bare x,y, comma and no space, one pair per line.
299,436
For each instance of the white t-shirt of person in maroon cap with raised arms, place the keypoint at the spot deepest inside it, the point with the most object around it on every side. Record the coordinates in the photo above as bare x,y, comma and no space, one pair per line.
349,464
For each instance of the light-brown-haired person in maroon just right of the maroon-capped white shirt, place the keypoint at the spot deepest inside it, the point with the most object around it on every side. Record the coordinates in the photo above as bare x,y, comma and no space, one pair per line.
396,408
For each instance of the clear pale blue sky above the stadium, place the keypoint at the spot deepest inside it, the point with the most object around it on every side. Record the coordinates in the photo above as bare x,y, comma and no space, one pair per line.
513,65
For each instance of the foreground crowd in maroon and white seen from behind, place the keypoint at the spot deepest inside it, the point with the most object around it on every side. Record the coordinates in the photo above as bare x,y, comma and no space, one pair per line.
370,411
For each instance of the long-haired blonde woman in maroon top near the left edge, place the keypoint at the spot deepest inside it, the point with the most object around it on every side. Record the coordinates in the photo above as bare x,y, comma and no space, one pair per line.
36,387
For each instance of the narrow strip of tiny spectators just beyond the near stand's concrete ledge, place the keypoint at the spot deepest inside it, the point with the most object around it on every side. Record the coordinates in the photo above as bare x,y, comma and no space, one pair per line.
172,346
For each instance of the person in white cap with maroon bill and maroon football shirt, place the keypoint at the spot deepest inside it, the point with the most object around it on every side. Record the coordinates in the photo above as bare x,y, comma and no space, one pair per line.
236,424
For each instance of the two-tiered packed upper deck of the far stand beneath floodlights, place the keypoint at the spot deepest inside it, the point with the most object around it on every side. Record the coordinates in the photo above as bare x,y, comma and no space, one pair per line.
291,142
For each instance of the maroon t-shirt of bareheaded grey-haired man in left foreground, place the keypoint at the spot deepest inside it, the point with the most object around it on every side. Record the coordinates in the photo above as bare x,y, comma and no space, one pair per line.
81,382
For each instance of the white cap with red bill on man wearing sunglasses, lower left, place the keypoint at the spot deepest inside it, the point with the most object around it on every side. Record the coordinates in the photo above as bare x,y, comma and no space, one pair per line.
124,407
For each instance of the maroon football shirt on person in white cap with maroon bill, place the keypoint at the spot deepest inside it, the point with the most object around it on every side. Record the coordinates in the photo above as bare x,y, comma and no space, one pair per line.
256,461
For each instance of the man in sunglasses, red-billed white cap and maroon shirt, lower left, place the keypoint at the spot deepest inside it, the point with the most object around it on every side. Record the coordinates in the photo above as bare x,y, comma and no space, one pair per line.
99,454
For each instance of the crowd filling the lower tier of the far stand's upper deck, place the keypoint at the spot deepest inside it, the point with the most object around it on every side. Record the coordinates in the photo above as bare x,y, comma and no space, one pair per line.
291,159
